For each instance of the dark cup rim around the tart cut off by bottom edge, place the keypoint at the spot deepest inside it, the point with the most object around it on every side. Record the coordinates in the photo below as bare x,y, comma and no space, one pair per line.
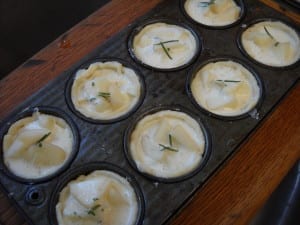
86,169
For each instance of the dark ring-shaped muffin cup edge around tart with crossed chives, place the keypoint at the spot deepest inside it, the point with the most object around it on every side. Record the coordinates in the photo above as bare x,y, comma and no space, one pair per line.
138,28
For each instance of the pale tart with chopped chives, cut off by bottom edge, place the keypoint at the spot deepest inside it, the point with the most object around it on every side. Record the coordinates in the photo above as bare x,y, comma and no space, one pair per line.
102,197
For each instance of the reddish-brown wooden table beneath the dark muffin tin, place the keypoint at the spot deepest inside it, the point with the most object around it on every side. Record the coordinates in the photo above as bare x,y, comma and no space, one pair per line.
245,181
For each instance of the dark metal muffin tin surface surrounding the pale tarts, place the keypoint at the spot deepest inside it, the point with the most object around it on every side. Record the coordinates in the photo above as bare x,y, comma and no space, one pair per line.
104,142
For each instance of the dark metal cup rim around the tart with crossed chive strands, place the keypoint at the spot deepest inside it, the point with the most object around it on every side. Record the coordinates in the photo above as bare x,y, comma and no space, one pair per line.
136,29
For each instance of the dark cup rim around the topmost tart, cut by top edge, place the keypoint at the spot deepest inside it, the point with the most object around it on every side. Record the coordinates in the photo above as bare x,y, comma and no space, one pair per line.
240,3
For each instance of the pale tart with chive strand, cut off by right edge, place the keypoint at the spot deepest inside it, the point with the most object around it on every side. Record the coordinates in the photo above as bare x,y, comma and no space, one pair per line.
272,43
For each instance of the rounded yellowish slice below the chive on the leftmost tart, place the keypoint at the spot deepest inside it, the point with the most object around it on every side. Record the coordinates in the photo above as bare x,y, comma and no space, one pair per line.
45,154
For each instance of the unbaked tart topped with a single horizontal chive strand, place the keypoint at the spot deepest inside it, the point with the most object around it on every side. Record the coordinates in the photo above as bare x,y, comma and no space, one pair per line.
225,88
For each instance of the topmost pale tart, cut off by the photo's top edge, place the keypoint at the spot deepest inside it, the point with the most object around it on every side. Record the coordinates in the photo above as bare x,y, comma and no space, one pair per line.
213,13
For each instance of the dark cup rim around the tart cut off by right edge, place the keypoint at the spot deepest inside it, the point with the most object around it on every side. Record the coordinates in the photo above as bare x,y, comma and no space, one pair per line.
244,52
